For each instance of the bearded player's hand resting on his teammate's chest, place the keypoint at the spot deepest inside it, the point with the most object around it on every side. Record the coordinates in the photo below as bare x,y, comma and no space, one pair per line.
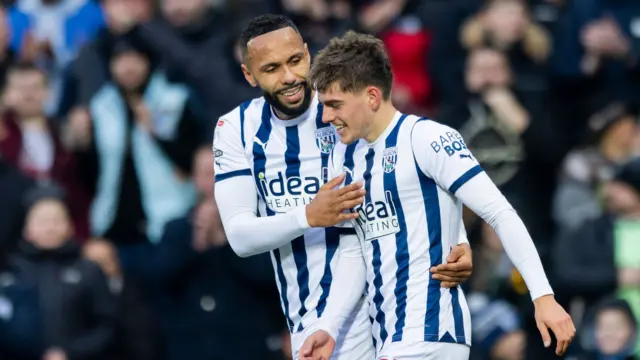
329,205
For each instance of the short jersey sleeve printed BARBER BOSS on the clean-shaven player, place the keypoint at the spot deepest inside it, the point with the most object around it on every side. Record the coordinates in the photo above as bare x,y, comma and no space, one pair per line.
442,154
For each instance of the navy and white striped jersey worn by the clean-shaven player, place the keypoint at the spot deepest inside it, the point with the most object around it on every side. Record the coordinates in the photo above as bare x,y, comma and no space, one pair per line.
409,222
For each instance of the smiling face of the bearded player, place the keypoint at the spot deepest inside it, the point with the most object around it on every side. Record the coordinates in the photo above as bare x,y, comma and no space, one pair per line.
278,62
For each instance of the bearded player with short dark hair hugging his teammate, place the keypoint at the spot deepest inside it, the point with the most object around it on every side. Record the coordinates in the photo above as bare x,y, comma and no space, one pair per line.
273,191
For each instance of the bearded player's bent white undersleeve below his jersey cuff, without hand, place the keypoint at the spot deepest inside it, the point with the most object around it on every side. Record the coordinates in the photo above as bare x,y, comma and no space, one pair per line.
247,233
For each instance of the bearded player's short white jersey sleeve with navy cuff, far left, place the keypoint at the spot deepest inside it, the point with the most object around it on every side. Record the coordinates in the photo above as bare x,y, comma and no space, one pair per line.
228,148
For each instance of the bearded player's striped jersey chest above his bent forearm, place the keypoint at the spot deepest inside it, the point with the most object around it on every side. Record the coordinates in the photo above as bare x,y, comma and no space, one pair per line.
289,158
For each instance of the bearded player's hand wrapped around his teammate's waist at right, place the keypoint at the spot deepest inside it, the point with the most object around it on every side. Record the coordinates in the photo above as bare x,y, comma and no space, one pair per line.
458,268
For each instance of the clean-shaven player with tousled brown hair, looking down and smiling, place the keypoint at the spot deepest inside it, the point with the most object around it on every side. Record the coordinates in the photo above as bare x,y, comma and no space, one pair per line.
417,175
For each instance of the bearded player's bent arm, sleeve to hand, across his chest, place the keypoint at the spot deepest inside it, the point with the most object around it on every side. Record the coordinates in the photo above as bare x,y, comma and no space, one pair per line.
237,200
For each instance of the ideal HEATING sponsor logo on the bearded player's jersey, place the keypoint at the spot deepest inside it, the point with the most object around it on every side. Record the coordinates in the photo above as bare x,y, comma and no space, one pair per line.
283,194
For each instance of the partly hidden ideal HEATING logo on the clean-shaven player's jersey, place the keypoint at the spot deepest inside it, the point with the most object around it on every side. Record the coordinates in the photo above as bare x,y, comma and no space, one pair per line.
378,218
